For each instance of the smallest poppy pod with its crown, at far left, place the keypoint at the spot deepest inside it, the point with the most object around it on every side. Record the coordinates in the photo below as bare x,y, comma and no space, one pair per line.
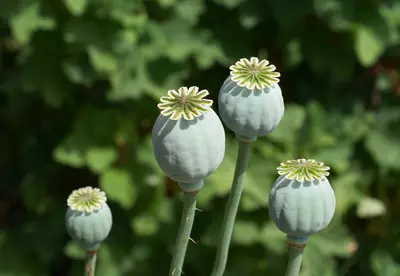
88,218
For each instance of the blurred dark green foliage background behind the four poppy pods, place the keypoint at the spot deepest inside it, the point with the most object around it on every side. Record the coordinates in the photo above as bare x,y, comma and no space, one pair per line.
79,84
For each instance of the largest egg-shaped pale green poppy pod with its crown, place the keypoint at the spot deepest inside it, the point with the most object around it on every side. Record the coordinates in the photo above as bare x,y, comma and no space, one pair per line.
188,137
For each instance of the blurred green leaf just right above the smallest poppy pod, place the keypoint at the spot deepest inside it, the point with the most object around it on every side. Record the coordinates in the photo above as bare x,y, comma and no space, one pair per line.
118,185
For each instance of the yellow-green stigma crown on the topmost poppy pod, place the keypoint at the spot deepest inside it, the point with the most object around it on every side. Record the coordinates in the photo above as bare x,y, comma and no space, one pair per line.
254,73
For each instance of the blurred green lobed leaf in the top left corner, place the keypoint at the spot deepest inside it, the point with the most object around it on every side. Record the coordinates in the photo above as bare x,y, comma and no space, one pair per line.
28,20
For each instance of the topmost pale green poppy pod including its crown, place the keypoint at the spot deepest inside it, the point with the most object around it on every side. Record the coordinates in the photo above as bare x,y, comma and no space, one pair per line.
250,100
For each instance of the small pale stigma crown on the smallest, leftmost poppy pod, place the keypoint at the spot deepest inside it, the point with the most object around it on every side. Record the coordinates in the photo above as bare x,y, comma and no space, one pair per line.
87,199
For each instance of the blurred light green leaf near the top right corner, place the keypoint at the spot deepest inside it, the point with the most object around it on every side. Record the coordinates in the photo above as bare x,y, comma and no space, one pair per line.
368,46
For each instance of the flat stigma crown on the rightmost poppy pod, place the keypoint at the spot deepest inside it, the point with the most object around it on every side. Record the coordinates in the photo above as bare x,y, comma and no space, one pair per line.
303,169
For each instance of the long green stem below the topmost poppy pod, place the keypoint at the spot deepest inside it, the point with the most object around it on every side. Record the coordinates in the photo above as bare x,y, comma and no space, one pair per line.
231,209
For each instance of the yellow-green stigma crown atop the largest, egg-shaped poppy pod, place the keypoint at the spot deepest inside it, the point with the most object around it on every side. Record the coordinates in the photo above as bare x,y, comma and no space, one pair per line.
188,103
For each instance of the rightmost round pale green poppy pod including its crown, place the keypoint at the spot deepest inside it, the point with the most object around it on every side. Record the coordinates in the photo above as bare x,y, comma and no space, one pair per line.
302,201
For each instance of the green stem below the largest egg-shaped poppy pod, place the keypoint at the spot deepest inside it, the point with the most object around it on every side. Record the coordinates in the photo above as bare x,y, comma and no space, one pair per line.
188,212
